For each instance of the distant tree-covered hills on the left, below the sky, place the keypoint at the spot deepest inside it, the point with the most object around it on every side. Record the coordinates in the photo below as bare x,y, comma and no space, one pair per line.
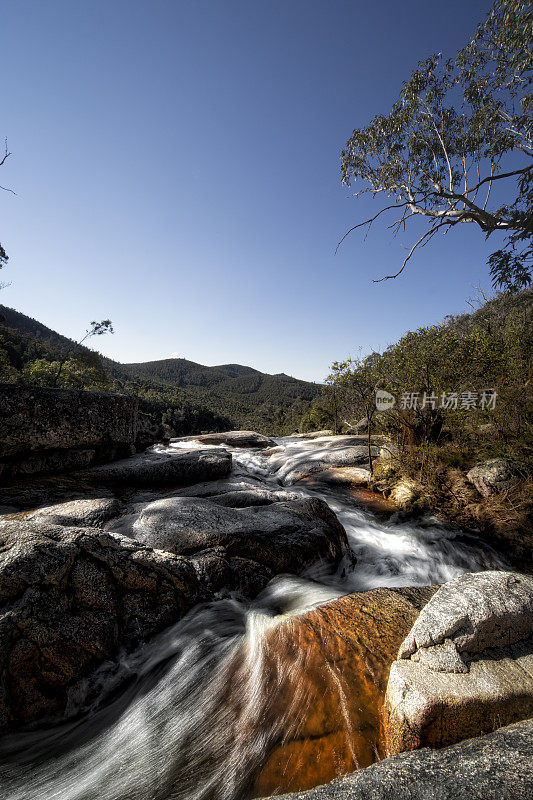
188,397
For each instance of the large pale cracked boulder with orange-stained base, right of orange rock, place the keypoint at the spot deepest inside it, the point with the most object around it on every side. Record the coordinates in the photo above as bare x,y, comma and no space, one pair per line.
466,667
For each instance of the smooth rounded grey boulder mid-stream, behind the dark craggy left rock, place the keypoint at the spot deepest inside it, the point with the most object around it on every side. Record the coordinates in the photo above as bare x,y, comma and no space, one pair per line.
284,537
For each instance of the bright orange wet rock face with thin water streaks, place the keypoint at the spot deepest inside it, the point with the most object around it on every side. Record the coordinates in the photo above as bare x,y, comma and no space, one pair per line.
329,671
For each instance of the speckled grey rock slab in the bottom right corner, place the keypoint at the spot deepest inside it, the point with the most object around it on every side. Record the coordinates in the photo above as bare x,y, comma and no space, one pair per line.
494,767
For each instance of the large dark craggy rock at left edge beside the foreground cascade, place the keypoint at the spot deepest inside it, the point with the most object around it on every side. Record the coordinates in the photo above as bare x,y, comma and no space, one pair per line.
71,598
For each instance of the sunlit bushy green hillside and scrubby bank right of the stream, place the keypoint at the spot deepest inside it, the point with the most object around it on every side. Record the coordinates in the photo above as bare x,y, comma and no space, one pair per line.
463,393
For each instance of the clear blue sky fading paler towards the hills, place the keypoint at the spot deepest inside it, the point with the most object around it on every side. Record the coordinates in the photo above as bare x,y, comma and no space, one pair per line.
176,165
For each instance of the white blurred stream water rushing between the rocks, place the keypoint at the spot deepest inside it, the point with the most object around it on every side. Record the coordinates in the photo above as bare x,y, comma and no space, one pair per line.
192,714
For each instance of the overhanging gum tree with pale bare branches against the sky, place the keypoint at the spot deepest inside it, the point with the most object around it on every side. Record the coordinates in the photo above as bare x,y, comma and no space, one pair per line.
461,128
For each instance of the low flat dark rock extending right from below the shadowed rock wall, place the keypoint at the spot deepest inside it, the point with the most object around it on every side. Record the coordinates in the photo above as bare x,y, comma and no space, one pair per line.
161,469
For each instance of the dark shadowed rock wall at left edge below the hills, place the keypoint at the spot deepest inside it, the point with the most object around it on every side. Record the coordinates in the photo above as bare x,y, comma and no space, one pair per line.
50,430
